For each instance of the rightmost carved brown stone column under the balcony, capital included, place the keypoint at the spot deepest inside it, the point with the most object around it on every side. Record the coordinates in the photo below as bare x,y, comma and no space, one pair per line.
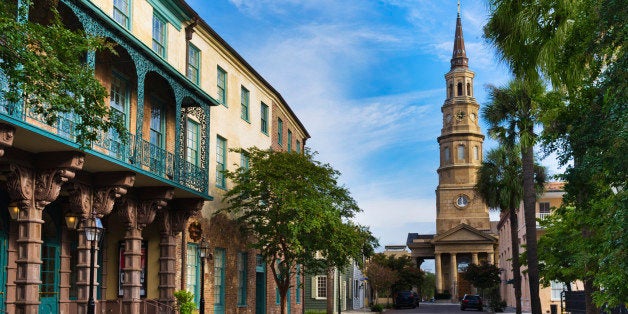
173,220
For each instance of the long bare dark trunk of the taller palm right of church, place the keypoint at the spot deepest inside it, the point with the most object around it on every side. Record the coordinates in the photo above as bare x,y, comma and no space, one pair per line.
529,205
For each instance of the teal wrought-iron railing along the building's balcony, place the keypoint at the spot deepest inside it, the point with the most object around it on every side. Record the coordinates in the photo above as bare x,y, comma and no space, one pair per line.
137,152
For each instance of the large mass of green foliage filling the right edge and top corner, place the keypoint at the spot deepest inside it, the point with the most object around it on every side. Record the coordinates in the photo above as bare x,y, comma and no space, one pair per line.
580,47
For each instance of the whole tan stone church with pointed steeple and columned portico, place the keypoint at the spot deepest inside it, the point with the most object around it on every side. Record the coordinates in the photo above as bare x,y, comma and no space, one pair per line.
463,228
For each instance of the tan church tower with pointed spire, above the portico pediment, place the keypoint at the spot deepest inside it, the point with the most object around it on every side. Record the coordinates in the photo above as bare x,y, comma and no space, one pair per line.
460,145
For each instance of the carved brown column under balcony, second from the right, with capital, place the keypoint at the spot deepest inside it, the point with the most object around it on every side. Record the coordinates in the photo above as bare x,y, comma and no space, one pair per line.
137,212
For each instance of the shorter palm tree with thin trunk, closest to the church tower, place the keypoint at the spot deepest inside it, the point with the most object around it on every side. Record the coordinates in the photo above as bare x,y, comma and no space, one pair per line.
500,185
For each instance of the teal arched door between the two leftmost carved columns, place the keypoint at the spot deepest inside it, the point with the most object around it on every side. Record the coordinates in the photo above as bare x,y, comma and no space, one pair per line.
49,271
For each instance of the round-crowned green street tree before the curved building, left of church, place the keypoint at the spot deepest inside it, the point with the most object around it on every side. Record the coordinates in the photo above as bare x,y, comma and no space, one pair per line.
293,207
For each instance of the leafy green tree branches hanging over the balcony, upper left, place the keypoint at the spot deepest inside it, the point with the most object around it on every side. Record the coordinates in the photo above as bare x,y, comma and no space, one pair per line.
43,63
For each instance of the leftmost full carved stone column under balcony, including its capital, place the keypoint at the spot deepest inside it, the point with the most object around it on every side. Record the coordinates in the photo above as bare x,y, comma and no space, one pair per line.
32,188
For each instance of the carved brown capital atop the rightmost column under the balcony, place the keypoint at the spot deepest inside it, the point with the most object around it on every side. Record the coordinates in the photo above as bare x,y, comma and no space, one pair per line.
174,217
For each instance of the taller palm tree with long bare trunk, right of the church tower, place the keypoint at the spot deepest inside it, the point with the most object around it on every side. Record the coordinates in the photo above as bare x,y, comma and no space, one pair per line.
512,114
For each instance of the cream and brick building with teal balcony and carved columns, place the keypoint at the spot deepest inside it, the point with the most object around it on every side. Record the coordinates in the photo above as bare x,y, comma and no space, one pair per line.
187,98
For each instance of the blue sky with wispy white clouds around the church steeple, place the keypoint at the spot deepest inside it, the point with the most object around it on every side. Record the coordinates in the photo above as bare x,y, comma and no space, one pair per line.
366,78
